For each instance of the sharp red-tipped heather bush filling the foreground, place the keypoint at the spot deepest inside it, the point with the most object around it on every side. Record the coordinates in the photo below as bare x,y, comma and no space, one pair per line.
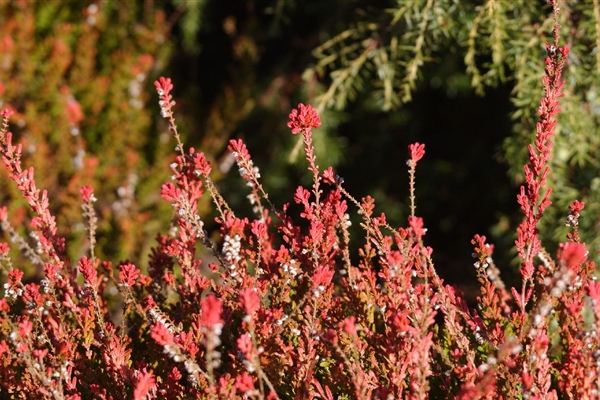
280,308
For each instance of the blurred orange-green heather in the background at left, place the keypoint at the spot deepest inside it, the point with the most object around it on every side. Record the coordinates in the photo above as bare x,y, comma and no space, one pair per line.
80,100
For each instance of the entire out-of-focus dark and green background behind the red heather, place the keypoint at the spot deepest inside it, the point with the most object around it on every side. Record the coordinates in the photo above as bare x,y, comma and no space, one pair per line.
462,76
